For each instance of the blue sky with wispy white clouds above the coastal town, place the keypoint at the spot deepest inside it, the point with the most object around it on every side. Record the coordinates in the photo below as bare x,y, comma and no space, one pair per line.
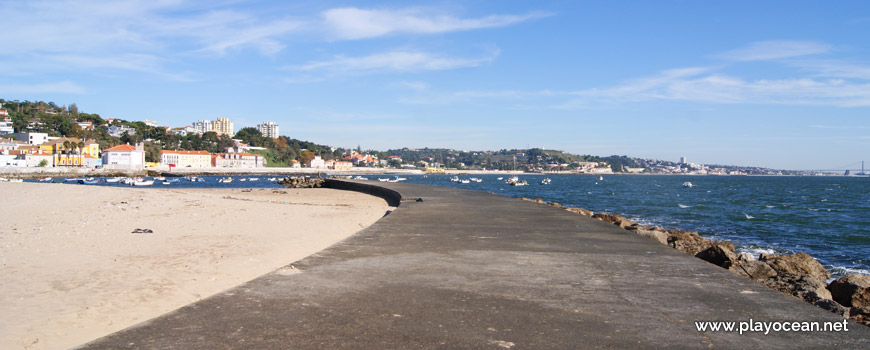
780,84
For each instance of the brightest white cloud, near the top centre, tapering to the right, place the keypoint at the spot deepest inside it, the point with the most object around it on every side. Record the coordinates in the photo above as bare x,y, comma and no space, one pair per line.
354,23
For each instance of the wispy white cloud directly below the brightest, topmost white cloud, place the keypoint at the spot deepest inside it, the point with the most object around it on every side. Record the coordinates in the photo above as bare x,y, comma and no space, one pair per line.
397,60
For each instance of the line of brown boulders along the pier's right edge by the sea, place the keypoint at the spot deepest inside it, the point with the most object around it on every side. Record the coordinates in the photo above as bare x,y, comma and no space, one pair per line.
799,275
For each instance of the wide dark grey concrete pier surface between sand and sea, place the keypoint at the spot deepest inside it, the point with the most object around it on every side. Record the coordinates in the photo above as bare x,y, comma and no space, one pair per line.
460,269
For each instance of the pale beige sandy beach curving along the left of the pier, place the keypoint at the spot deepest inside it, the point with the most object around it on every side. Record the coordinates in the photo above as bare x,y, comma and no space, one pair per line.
71,270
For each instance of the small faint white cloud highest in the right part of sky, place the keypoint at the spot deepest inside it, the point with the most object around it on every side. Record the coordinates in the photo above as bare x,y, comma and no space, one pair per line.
772,50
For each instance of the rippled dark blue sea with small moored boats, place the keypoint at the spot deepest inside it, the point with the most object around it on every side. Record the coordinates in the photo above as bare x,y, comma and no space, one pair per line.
827,217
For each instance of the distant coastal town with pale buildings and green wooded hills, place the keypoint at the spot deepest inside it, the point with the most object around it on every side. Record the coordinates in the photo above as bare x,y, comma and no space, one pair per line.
45,135
